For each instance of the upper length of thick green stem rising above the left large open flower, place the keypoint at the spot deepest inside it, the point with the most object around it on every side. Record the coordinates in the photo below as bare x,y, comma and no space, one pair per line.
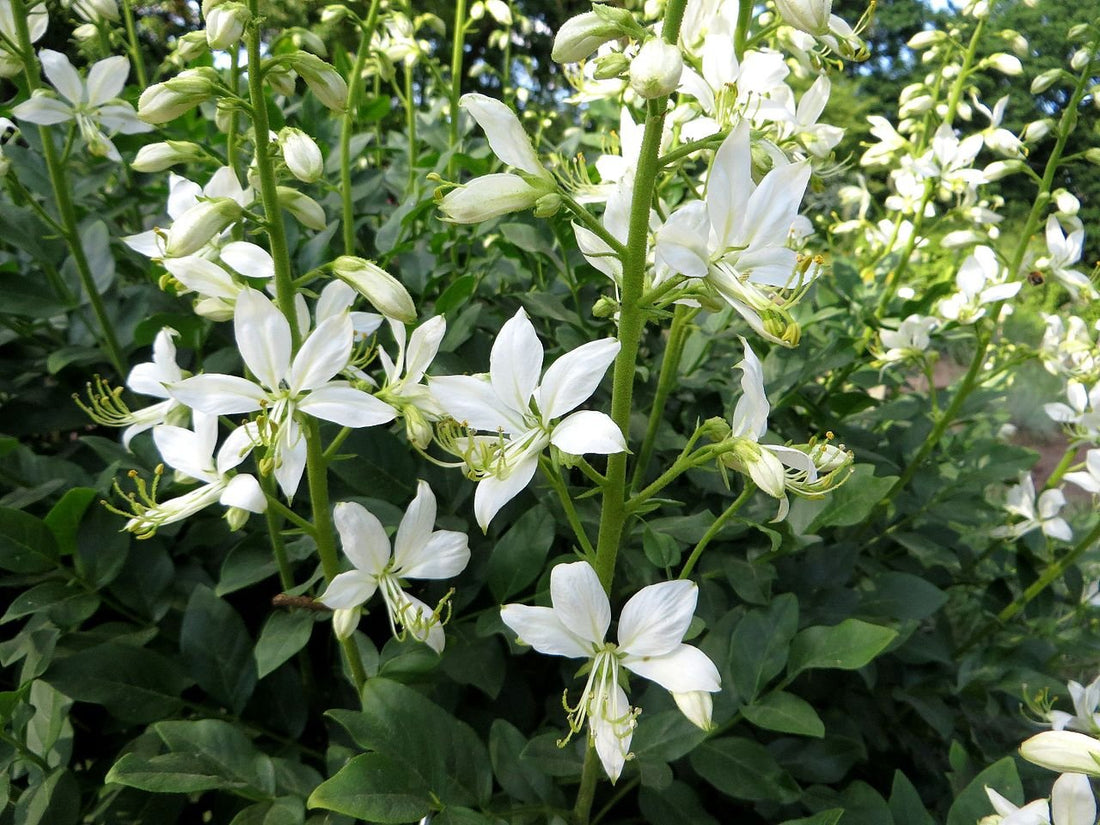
277,235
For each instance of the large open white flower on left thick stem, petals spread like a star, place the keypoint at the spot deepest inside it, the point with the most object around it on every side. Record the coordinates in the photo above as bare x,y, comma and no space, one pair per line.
287,387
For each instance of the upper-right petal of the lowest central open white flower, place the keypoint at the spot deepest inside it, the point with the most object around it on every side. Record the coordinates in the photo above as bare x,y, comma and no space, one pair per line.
656,619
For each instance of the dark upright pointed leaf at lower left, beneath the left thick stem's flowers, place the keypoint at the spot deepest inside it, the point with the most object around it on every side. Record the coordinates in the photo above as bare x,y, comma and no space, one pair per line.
217,650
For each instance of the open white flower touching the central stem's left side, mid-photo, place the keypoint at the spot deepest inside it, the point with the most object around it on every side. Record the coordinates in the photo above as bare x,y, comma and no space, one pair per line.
520,412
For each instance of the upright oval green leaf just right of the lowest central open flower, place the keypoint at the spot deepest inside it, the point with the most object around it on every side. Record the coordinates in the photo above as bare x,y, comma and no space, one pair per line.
758,647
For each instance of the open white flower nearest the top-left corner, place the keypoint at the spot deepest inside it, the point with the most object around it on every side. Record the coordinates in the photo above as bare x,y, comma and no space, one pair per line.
93,105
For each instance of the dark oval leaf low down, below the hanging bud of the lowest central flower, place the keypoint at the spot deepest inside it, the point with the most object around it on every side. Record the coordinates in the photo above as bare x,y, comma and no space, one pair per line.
744,769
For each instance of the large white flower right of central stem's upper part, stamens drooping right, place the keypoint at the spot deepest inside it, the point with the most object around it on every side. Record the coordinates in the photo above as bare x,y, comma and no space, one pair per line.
738,238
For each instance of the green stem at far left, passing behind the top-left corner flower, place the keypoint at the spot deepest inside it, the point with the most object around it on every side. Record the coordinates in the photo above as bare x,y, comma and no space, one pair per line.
61,189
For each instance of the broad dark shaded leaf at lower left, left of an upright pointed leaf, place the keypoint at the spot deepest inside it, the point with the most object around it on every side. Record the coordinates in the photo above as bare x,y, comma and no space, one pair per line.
137,686
